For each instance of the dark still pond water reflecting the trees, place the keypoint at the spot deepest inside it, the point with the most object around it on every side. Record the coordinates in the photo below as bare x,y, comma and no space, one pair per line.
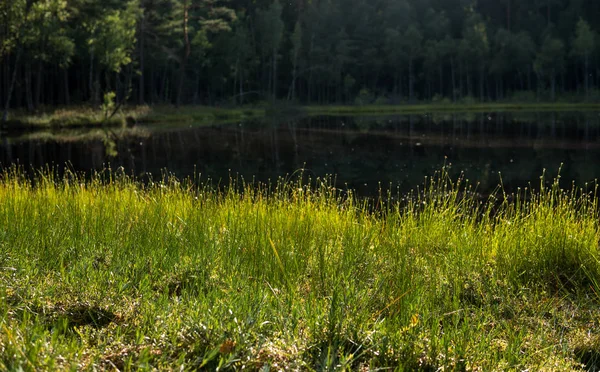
362,152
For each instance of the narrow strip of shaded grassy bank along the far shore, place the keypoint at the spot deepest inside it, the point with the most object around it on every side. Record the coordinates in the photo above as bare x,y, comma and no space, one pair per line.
199,115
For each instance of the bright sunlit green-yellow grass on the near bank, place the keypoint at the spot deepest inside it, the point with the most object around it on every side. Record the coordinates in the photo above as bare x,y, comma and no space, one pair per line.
112,274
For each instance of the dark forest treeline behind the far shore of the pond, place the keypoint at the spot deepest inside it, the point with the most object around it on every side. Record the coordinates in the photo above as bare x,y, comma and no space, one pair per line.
55,52
